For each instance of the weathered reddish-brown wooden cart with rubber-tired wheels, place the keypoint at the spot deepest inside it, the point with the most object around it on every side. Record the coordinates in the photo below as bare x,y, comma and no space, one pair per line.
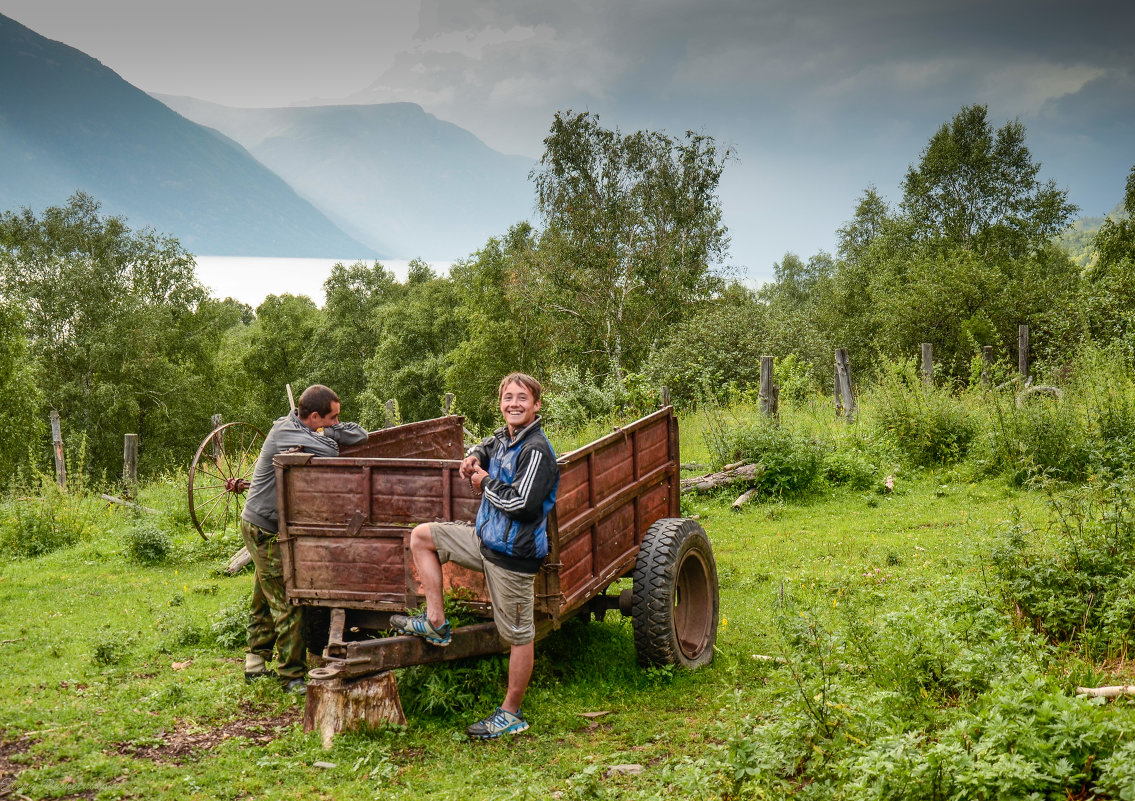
344,535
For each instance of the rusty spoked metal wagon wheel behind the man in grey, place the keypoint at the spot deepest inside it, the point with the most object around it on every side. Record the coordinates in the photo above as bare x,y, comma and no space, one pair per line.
221,475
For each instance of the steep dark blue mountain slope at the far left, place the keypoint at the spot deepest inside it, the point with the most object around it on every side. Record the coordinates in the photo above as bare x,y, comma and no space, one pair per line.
68,123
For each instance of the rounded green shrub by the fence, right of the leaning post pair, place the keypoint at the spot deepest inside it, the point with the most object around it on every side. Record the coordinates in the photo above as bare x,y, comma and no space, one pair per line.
929,425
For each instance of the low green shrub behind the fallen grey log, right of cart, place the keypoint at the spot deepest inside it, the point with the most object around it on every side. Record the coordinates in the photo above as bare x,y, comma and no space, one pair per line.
792,461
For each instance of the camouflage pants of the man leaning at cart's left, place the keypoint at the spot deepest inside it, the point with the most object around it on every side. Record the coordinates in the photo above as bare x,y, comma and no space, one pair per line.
273,623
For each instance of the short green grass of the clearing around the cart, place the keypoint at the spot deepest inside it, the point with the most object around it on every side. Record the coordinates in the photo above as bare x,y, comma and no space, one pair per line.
97,701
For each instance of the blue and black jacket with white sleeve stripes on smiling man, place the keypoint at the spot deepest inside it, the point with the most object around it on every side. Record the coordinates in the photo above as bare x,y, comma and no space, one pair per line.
520,492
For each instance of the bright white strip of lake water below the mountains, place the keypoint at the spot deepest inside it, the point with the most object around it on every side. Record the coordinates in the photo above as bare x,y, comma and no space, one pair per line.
251,280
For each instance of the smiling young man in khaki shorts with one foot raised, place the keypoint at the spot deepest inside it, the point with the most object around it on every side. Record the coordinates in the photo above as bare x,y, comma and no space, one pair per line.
517,473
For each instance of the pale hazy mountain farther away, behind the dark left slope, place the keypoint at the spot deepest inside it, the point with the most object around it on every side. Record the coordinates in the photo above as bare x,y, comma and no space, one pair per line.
391,175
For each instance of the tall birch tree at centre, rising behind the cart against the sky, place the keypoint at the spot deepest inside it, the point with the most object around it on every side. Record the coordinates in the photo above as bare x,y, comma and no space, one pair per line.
633,233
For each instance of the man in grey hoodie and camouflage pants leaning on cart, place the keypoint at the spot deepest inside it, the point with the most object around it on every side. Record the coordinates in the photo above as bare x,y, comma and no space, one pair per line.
274,625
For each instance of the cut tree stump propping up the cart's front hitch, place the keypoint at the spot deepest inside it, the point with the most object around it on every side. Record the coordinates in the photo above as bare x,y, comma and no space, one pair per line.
343,705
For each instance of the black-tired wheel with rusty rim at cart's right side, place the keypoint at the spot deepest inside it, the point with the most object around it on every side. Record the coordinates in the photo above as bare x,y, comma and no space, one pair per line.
675,606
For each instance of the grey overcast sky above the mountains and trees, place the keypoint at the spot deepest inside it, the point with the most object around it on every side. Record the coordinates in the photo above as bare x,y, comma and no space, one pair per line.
819,98
